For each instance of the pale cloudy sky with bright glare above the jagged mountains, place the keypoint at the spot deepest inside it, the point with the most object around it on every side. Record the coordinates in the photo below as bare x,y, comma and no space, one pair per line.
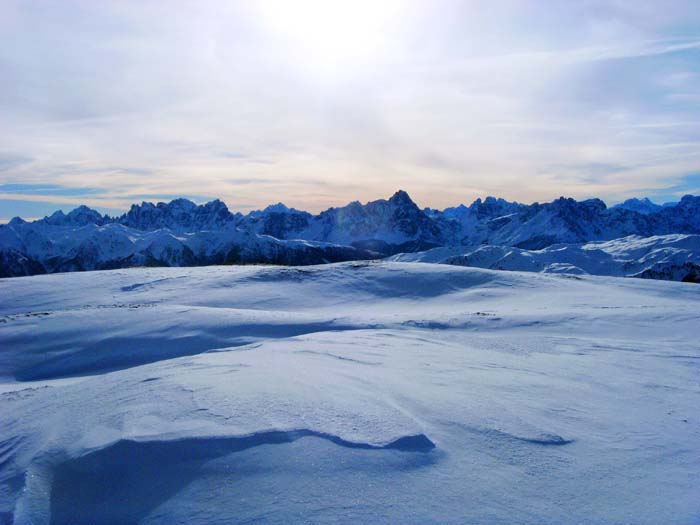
317,103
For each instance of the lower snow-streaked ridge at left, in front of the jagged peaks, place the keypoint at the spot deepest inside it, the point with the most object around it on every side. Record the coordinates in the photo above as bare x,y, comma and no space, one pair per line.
33,248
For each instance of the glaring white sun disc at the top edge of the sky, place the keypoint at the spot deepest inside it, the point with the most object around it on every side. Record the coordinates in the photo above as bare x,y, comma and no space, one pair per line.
333,34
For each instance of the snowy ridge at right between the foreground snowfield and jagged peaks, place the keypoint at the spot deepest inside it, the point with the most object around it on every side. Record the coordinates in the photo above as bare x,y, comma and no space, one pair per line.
669,257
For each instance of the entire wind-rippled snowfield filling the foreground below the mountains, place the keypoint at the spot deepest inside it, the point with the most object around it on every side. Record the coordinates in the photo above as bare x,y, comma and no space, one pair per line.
378,392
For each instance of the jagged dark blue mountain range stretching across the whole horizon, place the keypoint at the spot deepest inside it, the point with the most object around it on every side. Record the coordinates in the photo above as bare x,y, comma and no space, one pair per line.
182,233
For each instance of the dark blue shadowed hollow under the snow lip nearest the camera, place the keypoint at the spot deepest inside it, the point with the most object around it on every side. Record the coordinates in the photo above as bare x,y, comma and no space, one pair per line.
93,488
